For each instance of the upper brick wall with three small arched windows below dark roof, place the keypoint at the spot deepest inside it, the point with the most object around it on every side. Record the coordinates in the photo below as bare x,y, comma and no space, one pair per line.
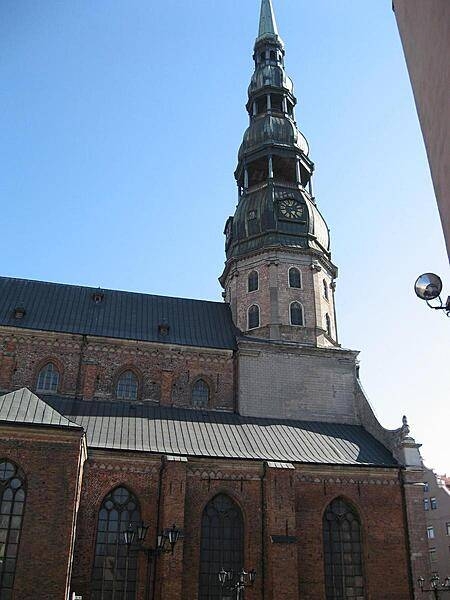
90,367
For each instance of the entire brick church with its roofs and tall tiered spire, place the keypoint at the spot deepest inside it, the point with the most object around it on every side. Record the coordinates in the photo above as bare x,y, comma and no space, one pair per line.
243,423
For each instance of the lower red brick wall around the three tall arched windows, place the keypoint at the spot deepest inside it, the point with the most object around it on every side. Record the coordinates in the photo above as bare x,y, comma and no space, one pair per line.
276,501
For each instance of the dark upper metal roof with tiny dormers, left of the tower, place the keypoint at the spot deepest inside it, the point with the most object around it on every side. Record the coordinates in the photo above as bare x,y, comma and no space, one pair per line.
116,314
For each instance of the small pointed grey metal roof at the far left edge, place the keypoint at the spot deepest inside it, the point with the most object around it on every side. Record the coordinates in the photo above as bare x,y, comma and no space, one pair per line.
24,407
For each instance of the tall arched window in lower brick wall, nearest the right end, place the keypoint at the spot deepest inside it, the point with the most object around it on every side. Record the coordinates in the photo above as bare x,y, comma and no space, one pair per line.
342,552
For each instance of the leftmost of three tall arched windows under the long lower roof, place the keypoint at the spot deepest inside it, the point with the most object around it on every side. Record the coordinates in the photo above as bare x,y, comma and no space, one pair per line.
115,567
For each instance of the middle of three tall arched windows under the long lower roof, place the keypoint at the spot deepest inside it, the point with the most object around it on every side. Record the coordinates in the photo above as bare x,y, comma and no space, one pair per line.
221,544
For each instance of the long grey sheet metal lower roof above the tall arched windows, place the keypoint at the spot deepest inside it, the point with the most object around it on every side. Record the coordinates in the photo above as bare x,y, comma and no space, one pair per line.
187,432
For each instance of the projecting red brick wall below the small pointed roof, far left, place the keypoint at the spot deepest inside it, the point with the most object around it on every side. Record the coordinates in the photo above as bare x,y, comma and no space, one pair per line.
52,461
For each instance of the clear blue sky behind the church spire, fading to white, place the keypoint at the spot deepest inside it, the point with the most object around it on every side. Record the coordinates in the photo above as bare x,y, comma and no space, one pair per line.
119,129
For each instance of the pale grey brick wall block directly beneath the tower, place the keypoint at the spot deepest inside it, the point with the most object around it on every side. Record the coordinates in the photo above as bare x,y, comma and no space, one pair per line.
283,382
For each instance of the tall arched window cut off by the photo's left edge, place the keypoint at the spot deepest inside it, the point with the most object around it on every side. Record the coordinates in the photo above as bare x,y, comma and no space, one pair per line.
12,502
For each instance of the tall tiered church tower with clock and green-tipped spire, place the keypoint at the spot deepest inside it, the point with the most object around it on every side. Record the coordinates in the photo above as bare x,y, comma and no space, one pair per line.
278,278
